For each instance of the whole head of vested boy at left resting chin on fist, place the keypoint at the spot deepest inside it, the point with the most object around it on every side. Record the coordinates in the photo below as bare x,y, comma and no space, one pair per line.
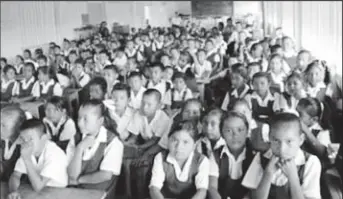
91,117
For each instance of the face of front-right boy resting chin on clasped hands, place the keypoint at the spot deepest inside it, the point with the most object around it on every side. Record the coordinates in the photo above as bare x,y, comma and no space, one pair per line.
285,140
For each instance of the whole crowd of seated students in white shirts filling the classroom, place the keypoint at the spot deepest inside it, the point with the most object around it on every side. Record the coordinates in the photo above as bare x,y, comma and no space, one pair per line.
172,112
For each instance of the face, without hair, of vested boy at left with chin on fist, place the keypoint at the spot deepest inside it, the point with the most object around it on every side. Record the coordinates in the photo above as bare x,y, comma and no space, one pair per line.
89,120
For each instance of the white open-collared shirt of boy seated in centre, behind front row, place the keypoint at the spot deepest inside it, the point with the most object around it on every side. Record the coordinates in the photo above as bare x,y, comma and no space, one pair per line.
158,126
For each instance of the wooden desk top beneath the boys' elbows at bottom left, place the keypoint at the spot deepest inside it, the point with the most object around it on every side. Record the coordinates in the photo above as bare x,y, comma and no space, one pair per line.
27,192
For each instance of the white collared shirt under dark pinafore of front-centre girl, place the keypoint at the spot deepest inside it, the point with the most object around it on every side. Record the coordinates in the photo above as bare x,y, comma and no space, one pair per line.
158,174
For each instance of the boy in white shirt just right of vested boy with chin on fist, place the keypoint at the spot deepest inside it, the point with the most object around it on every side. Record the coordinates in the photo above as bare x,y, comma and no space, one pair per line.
122,113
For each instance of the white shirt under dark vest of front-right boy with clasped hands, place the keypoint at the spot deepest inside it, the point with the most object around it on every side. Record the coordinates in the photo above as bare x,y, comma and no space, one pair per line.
311,179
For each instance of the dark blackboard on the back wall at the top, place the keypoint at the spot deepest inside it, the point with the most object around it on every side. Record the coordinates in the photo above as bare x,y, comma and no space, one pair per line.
212,8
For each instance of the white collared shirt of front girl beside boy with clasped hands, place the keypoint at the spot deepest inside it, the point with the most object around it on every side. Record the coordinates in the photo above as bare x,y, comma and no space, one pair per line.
235,166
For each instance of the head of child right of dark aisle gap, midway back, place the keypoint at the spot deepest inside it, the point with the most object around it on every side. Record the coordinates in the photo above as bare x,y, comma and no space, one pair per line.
239,75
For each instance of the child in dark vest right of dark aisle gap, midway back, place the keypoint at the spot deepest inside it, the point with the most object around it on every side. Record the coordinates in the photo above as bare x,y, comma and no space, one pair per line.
239,88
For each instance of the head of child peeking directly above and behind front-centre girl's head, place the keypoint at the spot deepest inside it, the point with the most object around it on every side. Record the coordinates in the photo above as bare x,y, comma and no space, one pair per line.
191,109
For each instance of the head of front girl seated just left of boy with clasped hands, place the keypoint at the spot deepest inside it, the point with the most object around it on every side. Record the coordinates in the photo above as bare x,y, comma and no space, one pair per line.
234,128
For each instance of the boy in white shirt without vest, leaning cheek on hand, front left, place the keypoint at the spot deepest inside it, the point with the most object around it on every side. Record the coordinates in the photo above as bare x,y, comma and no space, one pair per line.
41,160
